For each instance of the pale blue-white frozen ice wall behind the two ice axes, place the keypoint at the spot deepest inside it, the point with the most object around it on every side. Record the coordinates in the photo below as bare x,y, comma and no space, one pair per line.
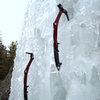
79,77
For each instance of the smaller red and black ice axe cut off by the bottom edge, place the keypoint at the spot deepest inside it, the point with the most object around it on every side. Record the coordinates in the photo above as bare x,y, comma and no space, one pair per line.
26,74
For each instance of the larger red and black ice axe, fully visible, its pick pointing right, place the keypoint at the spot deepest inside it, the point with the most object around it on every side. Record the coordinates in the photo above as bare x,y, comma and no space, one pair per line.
55,42
